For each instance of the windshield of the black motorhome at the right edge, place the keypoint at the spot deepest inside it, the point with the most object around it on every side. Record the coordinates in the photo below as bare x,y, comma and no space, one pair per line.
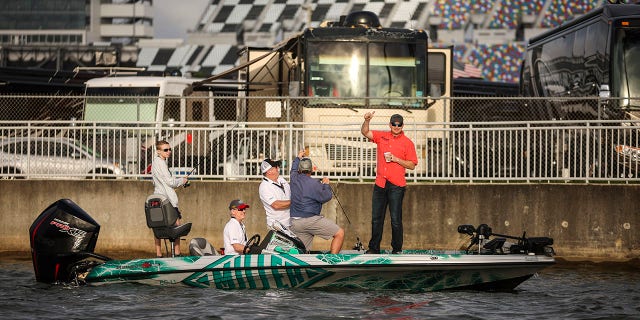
627,66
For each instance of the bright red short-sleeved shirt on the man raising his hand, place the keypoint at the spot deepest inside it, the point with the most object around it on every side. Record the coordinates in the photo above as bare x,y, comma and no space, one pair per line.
401,147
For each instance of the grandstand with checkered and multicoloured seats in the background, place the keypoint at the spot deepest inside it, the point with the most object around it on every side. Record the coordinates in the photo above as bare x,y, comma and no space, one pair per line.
488,34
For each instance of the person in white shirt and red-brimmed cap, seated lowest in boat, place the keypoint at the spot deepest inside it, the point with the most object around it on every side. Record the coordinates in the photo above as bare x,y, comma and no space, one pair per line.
234,235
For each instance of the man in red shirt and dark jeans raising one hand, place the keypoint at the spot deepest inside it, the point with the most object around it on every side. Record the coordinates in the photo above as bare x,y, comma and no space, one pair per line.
396,153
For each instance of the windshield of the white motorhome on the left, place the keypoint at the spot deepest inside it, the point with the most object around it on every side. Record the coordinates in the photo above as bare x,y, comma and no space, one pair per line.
121,104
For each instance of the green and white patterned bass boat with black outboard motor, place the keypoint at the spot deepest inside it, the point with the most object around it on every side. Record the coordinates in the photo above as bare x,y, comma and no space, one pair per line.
63,238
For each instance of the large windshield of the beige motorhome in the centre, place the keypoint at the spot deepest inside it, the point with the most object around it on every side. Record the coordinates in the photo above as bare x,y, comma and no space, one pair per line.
385,72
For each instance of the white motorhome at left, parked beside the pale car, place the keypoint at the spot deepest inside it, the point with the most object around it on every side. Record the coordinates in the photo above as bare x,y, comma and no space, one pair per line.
144,109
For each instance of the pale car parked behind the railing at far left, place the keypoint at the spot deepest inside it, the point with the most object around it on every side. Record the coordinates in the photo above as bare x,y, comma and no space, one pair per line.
53,157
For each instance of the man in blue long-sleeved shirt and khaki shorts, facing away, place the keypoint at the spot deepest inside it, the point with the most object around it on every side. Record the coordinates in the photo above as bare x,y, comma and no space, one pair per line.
307,197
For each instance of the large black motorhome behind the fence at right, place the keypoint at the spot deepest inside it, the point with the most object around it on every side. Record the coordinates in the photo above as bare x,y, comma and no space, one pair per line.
590,57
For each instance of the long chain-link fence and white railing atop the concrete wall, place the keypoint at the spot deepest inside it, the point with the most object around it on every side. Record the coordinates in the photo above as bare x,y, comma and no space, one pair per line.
467,139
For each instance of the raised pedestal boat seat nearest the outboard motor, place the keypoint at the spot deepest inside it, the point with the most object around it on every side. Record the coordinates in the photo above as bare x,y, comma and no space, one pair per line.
161,218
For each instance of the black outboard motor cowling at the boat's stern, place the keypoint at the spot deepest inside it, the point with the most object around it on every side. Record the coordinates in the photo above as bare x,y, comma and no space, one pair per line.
62,235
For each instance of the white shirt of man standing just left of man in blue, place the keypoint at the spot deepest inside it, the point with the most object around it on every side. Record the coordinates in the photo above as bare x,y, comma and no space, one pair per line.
270,192
